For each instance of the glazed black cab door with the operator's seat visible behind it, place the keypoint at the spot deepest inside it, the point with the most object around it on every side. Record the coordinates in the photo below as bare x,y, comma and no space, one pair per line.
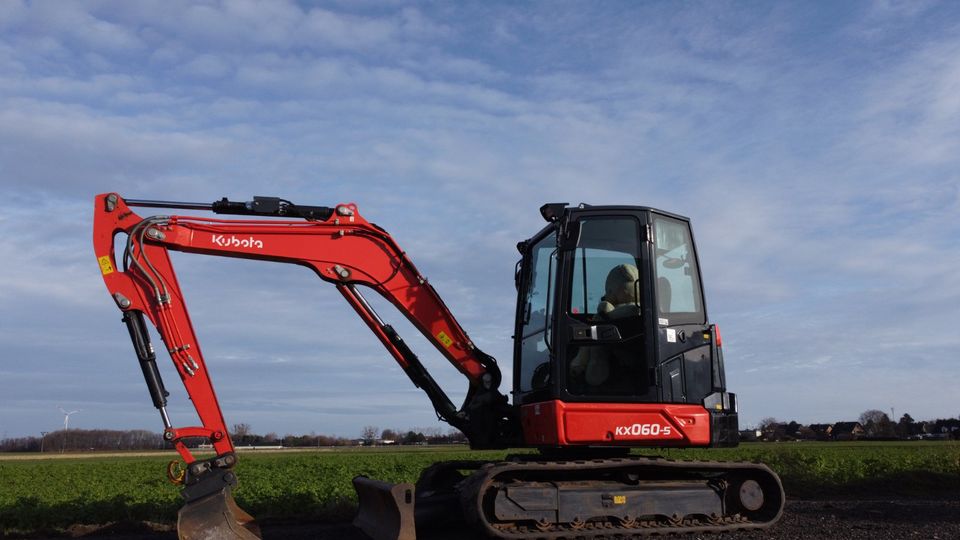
605,355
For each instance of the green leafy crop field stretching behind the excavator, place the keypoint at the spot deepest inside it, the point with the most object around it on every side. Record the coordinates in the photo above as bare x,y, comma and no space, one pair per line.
45,493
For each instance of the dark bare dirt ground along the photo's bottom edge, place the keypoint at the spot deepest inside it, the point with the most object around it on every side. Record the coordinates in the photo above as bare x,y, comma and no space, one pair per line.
849,520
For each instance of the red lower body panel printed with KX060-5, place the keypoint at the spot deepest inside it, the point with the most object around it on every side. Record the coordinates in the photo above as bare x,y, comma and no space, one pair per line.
556,423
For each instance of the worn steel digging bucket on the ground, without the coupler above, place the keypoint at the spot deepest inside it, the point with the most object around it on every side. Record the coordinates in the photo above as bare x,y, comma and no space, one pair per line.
216,517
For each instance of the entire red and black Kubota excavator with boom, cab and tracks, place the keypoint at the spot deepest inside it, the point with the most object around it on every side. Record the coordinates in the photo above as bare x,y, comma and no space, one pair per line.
612,351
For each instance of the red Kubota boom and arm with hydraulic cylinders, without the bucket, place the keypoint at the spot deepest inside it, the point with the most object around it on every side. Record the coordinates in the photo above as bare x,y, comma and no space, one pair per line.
338,244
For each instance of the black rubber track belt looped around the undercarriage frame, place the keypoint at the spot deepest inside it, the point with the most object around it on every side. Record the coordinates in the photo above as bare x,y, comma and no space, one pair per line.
486,478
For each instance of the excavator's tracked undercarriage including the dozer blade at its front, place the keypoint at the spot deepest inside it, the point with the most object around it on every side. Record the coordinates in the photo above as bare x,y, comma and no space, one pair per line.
528,498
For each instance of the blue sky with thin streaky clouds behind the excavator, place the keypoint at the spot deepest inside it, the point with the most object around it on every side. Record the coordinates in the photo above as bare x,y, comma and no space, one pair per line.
814,145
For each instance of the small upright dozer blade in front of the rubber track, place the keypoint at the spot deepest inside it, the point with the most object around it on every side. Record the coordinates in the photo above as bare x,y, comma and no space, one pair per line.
386,510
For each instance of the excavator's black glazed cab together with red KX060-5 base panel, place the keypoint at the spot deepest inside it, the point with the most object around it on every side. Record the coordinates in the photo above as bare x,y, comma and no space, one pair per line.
612,342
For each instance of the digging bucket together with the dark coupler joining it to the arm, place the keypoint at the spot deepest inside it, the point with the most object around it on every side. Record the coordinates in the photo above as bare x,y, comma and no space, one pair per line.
210,513
